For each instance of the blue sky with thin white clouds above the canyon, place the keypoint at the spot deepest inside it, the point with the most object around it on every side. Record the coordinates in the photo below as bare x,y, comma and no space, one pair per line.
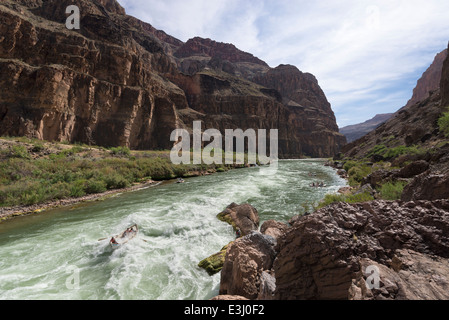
366,54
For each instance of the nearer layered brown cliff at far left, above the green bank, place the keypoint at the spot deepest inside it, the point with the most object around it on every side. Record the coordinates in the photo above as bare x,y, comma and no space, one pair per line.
99,86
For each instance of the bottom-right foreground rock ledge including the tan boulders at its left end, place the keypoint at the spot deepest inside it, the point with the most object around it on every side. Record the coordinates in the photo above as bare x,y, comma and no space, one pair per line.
331,253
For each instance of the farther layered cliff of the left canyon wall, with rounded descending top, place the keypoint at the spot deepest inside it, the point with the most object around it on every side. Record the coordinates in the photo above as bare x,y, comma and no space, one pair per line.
296,102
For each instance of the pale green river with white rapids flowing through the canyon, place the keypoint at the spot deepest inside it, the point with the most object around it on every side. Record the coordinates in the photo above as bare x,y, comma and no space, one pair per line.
56,255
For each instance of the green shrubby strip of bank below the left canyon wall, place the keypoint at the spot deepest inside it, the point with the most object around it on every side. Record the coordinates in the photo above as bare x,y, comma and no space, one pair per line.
34,172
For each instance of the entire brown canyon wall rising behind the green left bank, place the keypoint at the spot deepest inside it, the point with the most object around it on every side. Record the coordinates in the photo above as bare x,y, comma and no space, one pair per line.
118,81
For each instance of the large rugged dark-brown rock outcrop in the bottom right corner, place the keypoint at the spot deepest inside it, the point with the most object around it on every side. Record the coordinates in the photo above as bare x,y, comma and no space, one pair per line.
325,255
